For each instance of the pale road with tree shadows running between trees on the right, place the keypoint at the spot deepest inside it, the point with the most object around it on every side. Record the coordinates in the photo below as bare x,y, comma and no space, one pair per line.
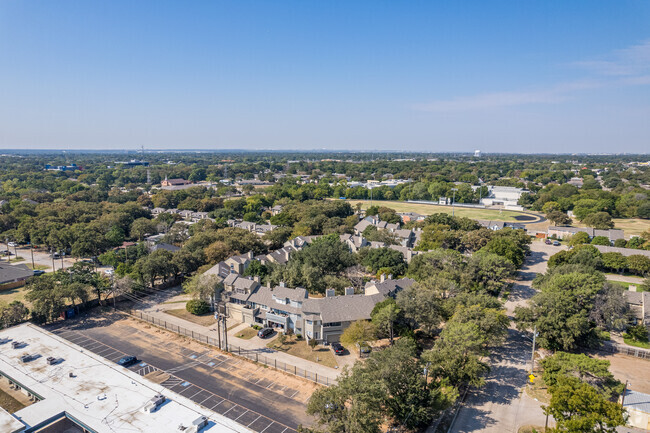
501,405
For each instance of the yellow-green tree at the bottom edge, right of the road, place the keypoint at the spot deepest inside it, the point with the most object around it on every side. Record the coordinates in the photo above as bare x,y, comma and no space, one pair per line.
578,407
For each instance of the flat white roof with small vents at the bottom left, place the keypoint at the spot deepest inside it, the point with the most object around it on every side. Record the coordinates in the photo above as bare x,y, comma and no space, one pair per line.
102,395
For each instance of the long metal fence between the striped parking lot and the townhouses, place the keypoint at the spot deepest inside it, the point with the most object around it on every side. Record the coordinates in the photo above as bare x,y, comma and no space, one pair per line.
256,355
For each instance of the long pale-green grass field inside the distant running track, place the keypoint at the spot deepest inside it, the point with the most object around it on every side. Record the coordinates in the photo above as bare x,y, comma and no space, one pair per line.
428,209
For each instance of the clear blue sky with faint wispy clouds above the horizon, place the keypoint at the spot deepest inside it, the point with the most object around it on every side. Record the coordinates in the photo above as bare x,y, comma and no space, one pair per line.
538,76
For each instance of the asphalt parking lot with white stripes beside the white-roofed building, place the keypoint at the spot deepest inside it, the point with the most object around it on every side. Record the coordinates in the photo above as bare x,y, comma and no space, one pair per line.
262,399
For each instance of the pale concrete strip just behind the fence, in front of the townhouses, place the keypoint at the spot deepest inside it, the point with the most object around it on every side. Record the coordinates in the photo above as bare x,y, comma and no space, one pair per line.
253,345
